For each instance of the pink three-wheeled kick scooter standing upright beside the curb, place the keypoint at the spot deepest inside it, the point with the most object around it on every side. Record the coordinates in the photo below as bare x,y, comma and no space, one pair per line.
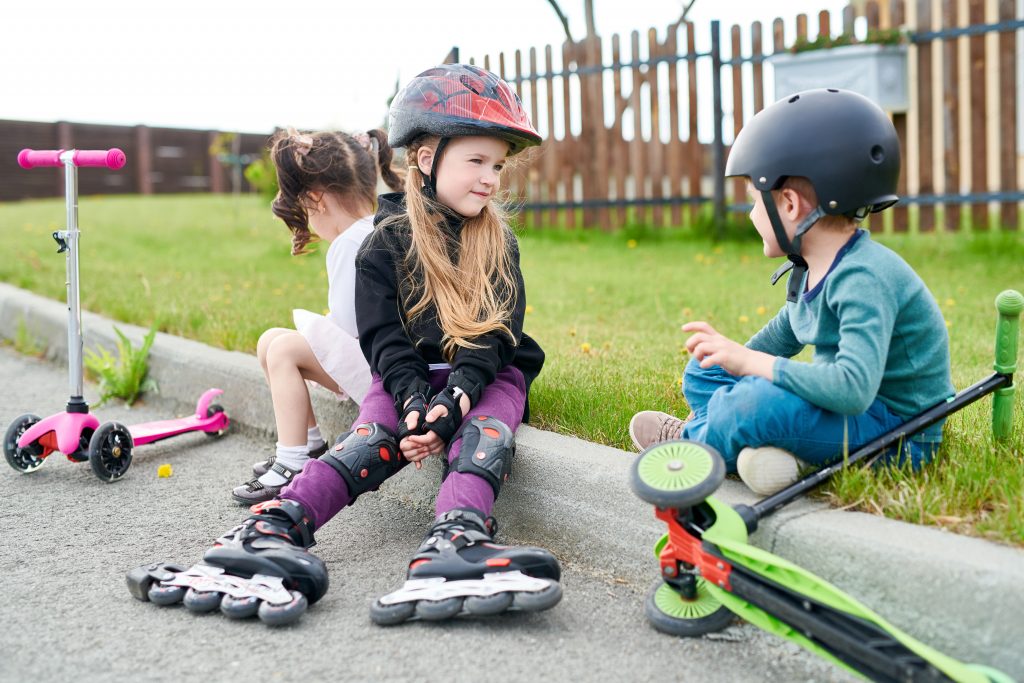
76,433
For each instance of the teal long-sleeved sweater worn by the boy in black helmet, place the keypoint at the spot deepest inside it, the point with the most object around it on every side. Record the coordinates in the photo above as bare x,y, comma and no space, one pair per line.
877,332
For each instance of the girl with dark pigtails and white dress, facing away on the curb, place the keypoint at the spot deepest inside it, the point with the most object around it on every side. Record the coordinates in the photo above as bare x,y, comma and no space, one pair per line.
327,191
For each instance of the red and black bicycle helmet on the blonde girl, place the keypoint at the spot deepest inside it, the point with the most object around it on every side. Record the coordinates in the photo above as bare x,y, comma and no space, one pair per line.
460,100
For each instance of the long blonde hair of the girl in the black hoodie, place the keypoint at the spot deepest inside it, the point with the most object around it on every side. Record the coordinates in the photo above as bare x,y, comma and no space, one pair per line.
474,297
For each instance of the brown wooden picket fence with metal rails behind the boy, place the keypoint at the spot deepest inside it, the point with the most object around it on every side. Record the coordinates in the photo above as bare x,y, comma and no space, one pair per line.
623,141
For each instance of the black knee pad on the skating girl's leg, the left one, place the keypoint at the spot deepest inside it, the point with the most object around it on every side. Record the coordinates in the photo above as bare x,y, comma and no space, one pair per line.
365,457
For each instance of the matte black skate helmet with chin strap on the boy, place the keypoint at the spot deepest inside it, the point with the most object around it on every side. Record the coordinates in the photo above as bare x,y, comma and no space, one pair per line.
841,142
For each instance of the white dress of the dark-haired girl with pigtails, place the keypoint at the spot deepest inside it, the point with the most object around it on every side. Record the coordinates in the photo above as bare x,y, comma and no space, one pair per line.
334,338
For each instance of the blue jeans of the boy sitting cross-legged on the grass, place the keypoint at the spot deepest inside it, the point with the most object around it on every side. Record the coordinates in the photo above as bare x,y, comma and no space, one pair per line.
732,413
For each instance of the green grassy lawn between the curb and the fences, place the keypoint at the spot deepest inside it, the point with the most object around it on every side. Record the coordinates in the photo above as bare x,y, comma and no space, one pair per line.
606,309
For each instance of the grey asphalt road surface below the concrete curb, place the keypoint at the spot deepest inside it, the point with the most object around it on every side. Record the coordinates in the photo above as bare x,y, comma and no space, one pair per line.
68,540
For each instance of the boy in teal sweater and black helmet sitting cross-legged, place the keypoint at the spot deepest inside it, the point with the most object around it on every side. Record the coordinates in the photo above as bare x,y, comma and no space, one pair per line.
822,159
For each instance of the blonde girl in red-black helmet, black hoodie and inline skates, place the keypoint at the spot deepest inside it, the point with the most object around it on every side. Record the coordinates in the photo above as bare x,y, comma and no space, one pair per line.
440,303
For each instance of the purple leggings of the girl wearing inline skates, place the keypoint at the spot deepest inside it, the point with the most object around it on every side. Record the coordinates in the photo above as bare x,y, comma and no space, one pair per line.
323,493
